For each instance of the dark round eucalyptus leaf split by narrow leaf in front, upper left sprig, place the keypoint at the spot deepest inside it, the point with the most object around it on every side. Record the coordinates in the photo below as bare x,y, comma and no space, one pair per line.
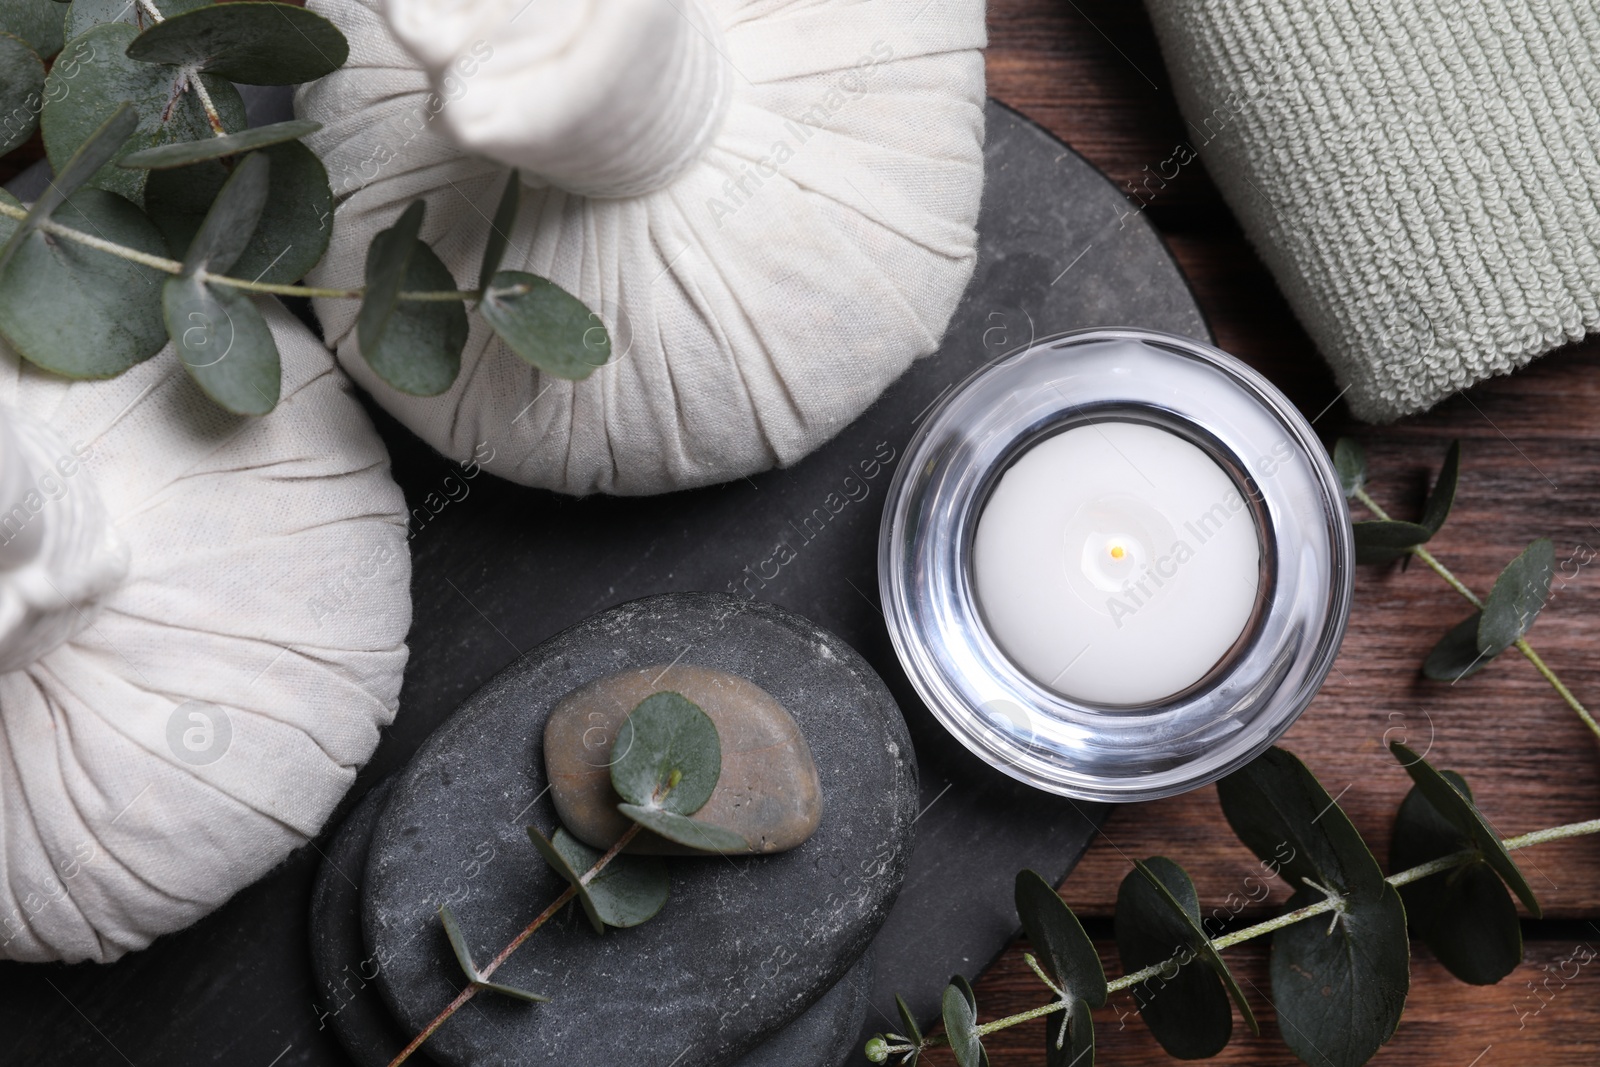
295,225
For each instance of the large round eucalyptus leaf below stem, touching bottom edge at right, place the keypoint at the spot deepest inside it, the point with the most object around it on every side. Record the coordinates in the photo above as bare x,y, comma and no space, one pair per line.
1340,993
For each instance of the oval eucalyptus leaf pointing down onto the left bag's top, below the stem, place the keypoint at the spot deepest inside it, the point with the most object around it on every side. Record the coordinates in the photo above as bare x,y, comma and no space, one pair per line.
223,343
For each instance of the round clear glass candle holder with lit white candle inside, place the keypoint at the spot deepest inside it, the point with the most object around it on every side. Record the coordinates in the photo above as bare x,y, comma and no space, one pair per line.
1116,565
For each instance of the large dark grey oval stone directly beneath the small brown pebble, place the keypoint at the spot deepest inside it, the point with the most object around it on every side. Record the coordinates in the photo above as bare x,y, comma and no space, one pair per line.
743,948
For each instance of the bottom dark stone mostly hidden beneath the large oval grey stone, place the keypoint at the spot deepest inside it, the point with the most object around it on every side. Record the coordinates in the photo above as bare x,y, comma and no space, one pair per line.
350,1005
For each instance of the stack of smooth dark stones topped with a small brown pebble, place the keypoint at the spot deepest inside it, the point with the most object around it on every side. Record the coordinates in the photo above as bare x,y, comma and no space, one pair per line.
754,961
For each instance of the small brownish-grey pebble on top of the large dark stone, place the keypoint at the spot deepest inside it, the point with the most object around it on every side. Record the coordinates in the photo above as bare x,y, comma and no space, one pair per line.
769,791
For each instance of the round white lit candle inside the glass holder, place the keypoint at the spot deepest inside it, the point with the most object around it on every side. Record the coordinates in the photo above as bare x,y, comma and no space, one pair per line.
1116,564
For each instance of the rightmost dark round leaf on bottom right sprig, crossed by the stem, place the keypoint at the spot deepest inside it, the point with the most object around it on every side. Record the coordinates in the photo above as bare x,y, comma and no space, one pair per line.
1465,916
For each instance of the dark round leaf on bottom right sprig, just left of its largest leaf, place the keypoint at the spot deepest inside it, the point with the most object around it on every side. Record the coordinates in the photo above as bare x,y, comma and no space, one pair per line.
1159,922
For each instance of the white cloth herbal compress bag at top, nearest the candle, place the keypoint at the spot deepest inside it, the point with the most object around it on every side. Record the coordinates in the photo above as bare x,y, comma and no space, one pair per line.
769,206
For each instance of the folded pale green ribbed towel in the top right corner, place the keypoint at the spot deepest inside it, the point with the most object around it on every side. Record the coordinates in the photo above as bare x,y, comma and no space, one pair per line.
1422,177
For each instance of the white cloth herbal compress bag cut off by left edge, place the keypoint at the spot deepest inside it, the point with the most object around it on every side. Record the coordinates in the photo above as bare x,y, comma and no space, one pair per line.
202,629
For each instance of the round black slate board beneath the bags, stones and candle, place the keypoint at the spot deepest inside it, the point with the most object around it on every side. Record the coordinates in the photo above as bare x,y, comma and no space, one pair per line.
500,569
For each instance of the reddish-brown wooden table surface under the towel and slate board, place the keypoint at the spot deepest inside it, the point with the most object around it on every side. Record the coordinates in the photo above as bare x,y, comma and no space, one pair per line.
1090,71
